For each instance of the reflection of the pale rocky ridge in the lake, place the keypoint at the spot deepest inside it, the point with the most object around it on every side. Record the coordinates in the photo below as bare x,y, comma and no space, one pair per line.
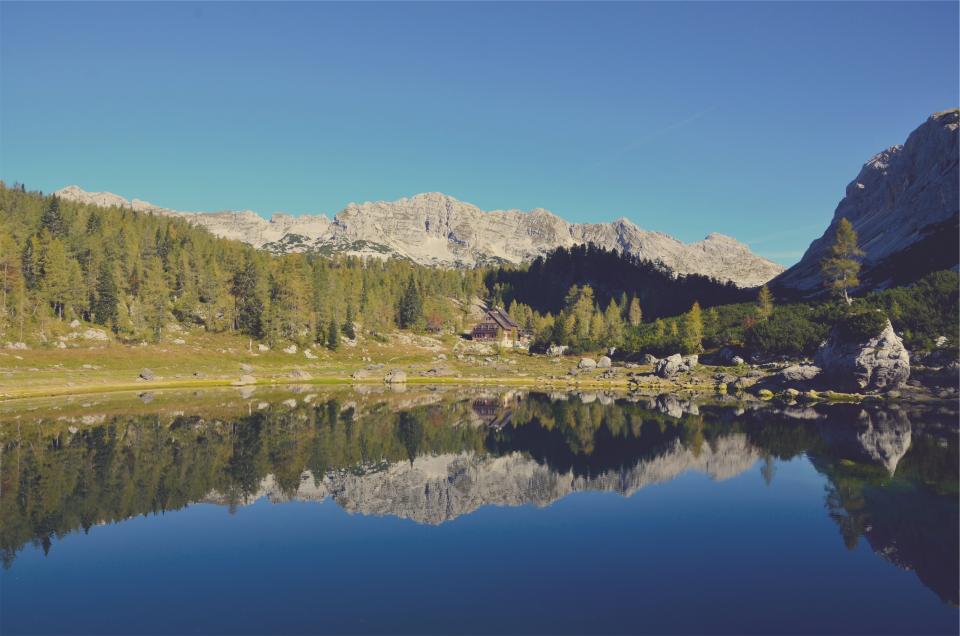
434,489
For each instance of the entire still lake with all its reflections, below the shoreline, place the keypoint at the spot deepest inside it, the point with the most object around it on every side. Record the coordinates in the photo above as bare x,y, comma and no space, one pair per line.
475,512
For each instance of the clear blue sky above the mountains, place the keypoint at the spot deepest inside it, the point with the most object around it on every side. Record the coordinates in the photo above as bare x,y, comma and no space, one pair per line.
747,119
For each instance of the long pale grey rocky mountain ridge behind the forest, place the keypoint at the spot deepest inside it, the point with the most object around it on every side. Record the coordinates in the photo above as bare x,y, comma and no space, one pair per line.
436,229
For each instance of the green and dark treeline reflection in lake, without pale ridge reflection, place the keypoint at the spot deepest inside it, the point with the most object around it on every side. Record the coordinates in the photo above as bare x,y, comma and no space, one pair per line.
53,481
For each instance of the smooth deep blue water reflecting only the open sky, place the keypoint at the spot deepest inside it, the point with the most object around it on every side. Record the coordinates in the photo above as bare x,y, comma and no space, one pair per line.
692,555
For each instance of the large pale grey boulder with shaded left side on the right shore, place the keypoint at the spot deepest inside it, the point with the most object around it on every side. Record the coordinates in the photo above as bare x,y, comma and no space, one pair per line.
881,363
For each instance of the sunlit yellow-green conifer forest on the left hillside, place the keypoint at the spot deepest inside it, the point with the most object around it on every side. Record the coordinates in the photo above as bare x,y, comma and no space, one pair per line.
135,273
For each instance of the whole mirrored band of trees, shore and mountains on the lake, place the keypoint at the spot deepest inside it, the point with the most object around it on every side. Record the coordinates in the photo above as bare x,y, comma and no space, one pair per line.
431,457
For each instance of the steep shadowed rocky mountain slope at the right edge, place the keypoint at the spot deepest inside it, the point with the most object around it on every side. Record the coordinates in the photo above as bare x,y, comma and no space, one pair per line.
904,208
